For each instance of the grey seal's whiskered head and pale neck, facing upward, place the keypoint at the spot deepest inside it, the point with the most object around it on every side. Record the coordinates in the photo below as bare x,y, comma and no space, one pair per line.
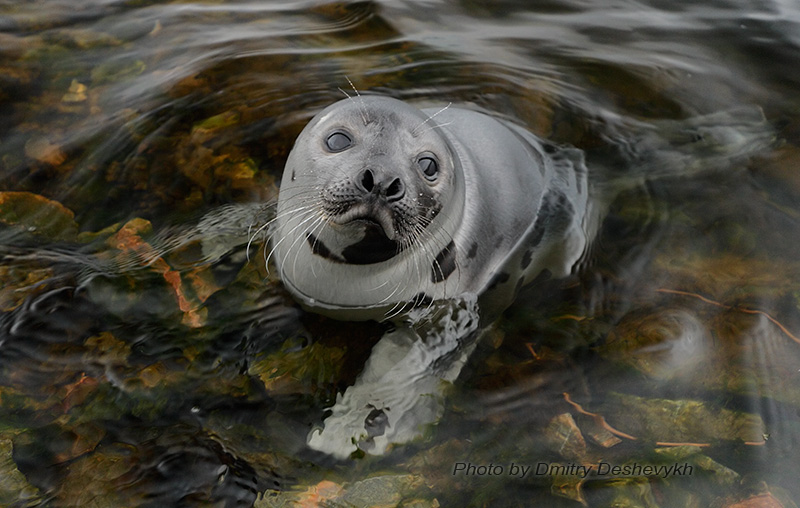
369,198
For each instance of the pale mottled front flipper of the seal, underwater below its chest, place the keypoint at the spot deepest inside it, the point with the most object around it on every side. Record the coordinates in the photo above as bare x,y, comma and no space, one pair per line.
374,413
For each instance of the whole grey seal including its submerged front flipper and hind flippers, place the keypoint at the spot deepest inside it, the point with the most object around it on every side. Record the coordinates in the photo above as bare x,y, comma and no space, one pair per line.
433,219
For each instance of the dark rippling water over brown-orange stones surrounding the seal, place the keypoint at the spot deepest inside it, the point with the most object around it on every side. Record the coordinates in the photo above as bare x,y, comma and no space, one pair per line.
182,383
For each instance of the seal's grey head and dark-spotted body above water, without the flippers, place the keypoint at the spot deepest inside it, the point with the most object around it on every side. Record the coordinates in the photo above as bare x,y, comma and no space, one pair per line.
384,207
